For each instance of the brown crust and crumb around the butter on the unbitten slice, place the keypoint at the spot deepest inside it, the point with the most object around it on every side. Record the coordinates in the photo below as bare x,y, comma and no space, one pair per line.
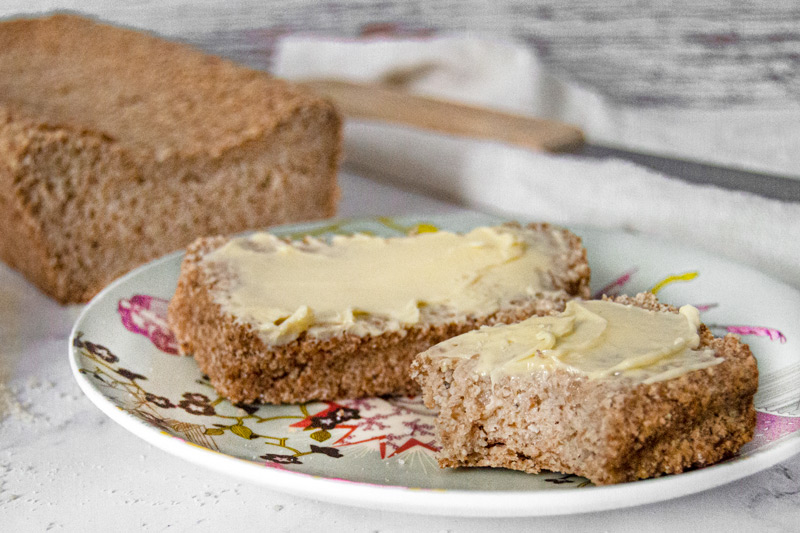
244,368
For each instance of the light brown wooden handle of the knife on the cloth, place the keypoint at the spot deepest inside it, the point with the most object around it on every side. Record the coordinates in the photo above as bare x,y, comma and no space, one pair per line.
390,105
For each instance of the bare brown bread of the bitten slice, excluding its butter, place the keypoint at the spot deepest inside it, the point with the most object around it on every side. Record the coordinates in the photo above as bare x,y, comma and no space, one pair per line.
608,431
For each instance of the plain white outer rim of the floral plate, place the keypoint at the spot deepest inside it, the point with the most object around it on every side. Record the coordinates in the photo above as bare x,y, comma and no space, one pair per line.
431,501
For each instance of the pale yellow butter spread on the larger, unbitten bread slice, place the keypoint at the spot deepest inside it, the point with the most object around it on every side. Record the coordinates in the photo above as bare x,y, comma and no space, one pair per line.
368,285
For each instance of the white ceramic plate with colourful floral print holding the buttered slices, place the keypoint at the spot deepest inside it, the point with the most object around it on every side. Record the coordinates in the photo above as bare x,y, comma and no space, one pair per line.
378,453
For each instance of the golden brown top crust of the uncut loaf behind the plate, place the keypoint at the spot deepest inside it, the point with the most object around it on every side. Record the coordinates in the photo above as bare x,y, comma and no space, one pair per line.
137,87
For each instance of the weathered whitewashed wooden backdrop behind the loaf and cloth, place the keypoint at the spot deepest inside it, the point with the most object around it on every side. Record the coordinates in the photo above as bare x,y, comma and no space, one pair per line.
702,54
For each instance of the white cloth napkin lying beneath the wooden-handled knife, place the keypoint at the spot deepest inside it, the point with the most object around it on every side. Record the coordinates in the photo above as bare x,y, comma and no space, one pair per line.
563,189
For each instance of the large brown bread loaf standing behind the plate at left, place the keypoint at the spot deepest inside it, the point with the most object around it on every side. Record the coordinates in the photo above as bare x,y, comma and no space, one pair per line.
117,147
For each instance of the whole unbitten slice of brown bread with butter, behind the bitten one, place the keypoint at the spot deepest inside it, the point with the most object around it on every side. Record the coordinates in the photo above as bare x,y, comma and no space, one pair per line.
276,321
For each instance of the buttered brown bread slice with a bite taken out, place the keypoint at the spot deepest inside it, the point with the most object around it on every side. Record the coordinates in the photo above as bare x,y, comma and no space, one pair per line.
613,391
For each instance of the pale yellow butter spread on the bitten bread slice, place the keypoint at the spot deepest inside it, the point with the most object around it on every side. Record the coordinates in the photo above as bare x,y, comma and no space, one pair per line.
599,339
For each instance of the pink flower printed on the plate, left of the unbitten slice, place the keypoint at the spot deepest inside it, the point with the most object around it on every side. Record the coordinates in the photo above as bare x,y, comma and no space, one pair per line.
147,315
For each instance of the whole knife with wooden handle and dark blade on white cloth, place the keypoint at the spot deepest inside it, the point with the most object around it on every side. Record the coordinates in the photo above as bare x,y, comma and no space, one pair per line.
373,102
